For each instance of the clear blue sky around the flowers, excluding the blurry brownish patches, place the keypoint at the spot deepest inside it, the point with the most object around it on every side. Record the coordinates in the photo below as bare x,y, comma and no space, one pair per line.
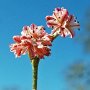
14,14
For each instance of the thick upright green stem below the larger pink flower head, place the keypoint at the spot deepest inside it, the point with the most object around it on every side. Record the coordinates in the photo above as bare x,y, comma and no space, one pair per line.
35,63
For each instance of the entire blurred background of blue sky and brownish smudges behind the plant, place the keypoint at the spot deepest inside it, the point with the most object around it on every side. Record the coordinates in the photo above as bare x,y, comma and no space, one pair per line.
67,68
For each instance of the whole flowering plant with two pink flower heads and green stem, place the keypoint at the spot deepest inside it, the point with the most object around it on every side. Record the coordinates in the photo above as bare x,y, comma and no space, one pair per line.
35,41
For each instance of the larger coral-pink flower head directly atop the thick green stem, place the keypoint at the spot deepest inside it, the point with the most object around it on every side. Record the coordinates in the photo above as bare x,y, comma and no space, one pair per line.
33,40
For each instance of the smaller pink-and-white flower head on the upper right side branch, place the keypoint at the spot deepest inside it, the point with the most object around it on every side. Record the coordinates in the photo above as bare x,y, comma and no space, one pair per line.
62,23
